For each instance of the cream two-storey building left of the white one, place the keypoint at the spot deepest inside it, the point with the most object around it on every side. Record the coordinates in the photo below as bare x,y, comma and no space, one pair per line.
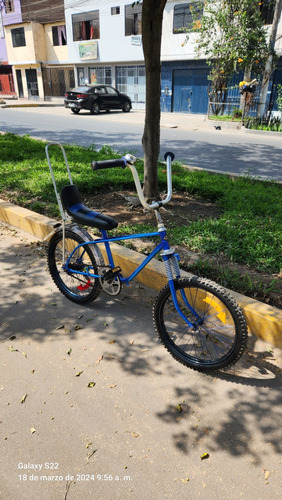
36,47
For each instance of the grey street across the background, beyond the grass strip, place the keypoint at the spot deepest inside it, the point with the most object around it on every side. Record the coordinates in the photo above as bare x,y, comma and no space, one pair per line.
193,140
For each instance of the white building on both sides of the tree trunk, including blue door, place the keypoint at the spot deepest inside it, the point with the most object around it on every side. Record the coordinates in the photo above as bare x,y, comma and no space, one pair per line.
105,45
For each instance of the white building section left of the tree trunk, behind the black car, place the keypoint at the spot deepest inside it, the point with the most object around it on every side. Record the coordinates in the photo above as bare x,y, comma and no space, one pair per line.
105,46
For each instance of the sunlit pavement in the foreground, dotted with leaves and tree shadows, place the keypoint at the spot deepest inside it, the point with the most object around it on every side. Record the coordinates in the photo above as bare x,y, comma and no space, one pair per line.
92,406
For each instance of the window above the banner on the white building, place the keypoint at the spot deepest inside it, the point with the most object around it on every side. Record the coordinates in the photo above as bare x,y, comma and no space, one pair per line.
86,26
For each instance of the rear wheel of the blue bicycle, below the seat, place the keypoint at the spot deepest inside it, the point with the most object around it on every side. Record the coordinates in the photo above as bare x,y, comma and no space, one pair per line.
75,286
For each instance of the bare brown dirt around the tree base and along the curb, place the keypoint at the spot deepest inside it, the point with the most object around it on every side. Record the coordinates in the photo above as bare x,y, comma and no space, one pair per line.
183,209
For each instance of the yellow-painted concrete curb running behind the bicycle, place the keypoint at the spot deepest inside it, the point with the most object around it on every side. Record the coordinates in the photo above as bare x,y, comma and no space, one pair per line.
263,320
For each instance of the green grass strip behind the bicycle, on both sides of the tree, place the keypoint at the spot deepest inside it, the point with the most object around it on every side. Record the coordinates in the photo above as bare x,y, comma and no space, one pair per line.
248,231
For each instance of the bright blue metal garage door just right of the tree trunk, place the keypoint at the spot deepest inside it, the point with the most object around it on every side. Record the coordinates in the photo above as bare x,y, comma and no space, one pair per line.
190,90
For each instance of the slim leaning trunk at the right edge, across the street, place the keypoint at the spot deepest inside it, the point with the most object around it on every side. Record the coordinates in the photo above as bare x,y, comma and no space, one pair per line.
269,63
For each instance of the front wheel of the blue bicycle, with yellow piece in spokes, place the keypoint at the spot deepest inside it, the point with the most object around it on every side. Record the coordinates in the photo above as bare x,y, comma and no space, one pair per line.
217,336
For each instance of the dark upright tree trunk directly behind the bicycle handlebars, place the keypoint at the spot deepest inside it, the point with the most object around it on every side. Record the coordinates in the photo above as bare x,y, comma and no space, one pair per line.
152,18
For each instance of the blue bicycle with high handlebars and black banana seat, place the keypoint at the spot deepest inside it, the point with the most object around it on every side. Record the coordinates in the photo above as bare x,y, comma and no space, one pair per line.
198,321
